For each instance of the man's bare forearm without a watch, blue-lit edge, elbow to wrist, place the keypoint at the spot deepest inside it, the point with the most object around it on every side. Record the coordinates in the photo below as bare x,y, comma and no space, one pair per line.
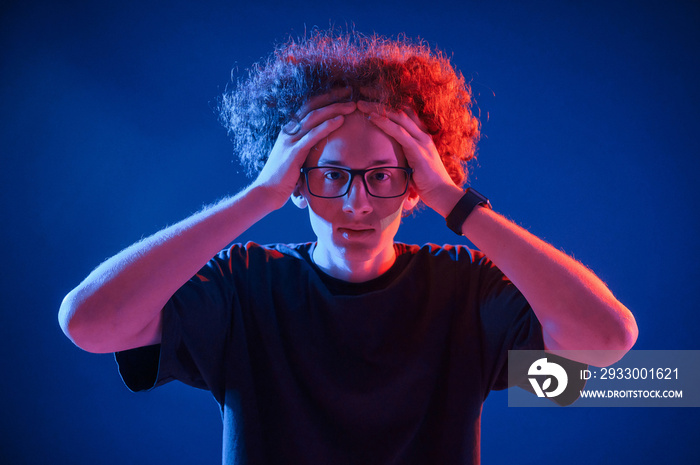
118,305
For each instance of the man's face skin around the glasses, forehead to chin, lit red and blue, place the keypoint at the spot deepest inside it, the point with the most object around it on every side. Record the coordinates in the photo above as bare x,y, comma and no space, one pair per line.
357,226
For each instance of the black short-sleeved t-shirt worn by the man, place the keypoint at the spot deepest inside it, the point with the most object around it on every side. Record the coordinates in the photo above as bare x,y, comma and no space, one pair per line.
309,369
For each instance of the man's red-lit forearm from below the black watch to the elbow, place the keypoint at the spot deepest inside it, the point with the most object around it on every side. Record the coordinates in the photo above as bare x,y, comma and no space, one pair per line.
576,309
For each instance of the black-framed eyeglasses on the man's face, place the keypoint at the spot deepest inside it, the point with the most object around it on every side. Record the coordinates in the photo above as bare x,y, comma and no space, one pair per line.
329,182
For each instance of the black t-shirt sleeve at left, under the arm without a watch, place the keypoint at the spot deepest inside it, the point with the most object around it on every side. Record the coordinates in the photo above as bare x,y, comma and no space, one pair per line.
197,323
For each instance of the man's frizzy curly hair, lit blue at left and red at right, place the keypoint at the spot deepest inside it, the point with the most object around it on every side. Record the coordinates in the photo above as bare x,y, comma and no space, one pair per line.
398,73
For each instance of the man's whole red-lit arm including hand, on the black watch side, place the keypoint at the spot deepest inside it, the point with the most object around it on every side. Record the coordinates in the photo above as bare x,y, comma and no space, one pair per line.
576,309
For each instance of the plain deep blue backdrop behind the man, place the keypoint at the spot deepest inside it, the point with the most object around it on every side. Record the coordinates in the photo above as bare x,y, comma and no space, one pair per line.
108,133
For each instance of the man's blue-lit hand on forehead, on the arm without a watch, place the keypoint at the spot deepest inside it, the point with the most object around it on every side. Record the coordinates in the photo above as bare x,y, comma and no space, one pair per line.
316,119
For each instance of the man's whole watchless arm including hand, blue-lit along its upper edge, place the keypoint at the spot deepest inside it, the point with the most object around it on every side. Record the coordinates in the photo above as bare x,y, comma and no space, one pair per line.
118,306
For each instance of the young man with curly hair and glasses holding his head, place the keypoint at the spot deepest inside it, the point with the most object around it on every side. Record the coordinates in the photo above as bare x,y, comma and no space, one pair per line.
353,348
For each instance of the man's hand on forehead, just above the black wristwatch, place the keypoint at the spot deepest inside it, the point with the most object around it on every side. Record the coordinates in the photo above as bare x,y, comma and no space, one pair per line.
430,178
